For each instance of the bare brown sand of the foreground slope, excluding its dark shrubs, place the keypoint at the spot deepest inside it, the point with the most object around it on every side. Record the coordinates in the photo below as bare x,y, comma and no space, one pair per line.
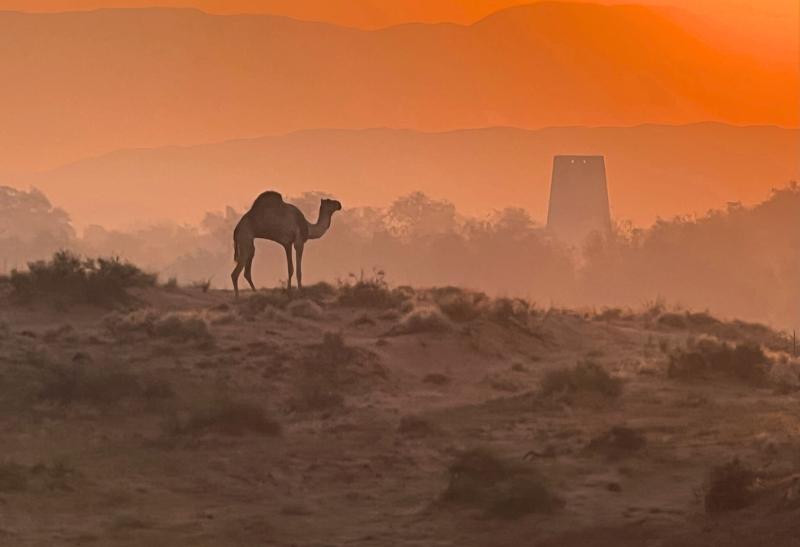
120,472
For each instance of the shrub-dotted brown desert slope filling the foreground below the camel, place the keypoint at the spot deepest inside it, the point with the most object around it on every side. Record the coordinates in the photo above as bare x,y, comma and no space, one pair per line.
446,412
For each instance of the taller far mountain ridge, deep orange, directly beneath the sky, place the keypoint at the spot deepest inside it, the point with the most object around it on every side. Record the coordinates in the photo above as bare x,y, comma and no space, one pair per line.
78,84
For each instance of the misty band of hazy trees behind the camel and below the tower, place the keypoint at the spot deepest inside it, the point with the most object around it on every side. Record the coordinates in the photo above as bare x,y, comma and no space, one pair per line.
427,242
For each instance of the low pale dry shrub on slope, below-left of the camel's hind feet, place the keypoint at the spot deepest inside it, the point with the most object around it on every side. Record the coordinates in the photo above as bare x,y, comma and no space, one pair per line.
184,326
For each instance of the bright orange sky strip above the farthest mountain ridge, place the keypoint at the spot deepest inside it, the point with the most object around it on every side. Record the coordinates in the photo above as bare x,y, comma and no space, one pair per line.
771,25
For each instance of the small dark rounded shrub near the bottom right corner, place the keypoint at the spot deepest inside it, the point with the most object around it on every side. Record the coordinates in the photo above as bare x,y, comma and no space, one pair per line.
729,487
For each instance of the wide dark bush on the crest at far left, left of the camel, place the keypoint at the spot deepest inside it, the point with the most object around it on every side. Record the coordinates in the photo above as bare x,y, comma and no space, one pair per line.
67,279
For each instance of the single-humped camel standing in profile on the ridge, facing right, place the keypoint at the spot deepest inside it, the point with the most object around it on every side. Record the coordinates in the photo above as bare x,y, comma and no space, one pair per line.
272,218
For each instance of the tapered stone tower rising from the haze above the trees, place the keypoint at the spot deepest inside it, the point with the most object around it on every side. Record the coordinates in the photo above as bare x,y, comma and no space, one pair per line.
578,198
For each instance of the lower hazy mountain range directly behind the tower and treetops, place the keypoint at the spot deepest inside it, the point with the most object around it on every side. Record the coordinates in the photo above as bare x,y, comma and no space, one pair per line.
653,170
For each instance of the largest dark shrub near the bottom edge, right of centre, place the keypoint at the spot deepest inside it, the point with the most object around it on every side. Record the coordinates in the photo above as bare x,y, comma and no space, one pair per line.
479,478
